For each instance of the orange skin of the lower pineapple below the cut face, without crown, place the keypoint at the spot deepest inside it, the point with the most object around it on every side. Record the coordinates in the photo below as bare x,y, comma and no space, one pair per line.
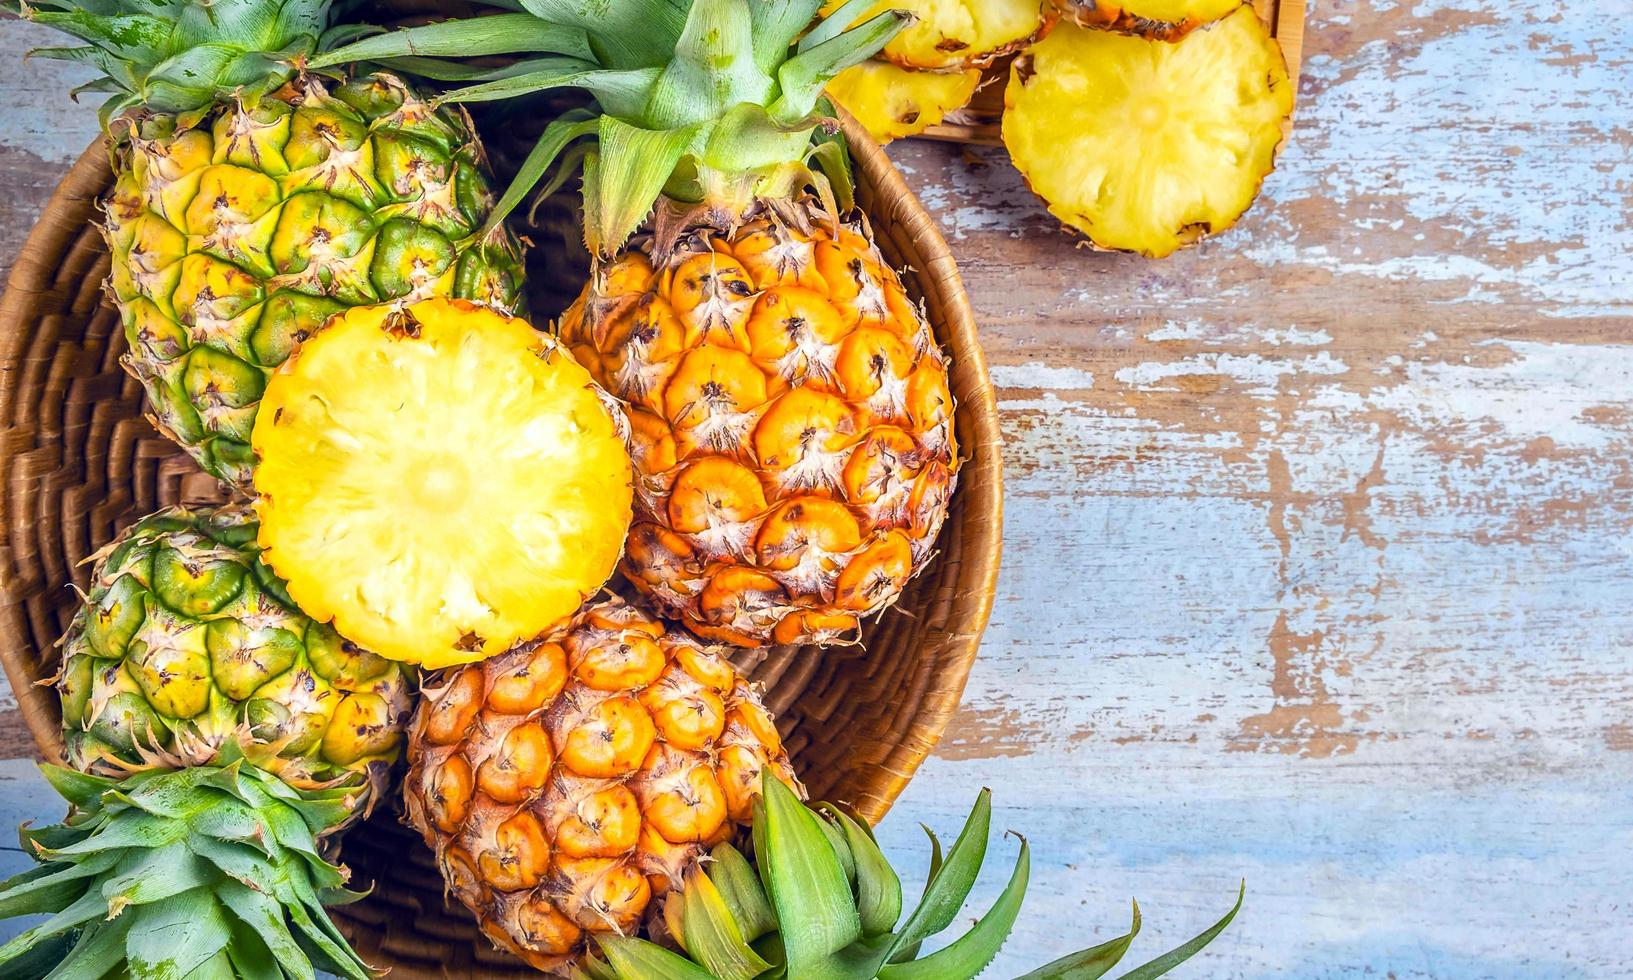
572,782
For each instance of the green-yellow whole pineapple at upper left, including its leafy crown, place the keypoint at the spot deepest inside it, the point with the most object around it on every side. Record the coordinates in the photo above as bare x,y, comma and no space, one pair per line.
256,200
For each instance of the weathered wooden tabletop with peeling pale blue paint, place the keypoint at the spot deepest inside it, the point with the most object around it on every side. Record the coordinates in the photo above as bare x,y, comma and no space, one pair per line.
1320,555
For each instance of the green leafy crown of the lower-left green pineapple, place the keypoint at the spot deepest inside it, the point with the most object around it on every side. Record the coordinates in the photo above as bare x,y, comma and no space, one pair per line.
184,873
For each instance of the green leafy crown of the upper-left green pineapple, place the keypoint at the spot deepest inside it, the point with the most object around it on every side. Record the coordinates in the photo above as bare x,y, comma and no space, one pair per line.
182,56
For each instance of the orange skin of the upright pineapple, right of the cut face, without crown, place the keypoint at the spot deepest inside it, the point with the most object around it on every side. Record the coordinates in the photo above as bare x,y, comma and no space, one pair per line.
791,424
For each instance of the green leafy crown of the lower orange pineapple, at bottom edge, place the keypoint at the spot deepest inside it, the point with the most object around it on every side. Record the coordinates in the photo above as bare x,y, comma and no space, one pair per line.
822,901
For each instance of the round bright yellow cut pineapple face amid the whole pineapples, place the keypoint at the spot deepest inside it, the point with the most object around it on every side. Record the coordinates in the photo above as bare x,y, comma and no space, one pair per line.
440,481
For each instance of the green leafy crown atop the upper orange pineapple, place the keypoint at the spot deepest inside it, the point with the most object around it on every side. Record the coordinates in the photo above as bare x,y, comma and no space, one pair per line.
703,102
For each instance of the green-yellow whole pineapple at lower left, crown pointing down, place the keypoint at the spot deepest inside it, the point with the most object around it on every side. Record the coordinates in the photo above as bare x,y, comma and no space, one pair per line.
216,739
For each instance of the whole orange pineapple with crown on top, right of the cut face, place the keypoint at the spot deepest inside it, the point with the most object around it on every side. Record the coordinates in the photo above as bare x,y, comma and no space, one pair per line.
790,408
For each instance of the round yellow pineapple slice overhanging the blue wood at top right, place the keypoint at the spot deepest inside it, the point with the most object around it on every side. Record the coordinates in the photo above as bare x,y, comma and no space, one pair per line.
1146,146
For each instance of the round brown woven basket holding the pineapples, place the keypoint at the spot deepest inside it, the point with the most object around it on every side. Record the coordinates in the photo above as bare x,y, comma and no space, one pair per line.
79,463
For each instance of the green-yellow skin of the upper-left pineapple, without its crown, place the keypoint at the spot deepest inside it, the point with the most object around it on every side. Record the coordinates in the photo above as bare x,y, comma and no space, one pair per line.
238,234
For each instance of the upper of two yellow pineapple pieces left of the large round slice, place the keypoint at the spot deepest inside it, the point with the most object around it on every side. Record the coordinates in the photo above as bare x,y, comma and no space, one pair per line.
958,33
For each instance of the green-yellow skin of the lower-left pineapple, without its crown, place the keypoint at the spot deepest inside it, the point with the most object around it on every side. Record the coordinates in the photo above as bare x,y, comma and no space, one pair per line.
187,643
